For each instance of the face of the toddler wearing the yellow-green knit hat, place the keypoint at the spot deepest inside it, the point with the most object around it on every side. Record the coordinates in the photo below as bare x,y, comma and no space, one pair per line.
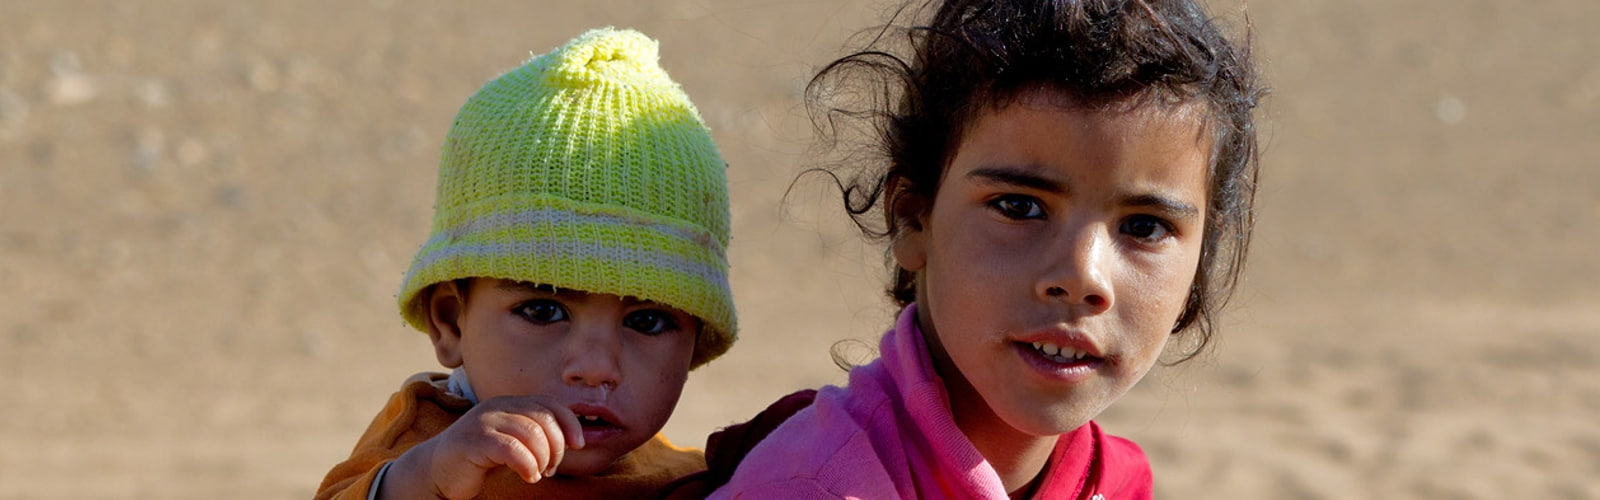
618,363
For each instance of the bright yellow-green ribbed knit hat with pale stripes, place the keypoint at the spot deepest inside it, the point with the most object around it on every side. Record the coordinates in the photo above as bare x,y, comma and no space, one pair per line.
586,169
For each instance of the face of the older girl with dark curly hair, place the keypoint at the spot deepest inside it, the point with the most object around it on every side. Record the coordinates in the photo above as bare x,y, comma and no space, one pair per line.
1057,259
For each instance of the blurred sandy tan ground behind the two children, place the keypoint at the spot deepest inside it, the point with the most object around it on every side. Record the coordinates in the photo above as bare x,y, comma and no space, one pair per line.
206,211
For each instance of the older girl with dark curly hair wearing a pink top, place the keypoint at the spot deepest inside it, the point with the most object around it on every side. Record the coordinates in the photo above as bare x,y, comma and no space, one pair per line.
1068,185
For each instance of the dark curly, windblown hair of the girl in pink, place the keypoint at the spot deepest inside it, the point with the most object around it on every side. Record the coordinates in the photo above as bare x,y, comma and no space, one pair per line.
919,89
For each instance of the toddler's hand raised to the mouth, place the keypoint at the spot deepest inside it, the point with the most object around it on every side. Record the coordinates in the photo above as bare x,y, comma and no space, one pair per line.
526,433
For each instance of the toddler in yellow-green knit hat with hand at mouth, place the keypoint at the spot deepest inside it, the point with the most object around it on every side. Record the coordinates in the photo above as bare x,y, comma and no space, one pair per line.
575,275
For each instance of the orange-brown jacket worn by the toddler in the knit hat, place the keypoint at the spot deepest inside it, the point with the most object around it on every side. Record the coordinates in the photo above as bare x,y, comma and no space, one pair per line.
423,409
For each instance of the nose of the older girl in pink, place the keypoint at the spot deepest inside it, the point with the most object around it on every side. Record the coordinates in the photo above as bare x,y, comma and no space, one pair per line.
1078,270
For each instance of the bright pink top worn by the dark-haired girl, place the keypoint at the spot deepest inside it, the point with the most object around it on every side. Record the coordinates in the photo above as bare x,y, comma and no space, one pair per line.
890,435
